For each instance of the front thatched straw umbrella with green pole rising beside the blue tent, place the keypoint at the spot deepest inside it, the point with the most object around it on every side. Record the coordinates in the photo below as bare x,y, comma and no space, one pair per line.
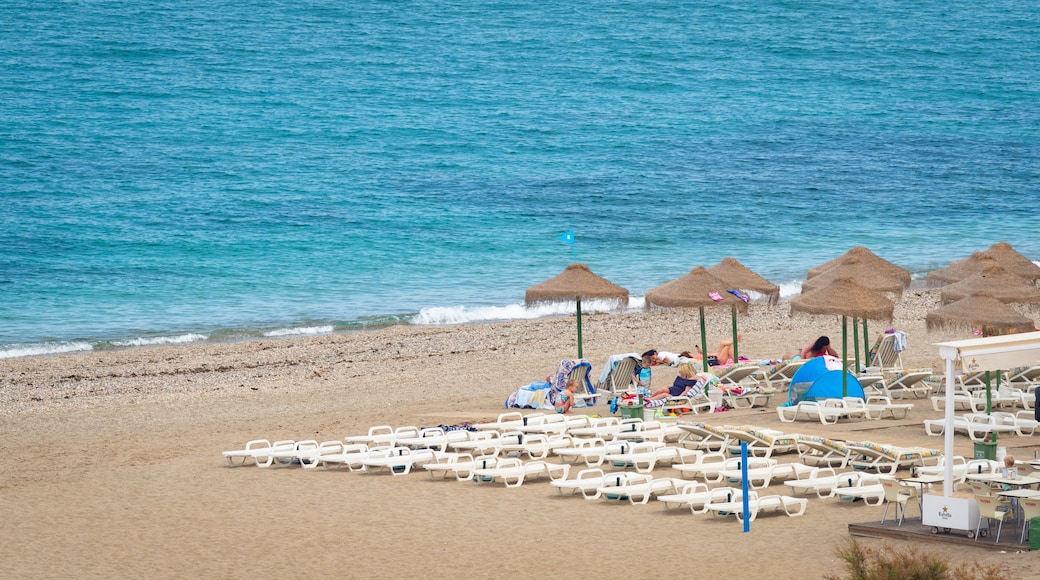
845,298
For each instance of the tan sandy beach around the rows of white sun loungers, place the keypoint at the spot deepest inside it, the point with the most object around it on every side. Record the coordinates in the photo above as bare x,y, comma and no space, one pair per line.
113,466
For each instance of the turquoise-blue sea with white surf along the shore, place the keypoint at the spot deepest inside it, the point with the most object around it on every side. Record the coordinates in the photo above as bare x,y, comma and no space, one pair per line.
207,171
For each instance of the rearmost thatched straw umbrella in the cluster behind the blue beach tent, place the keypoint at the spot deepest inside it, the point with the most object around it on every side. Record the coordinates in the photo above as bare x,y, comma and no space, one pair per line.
868,271
